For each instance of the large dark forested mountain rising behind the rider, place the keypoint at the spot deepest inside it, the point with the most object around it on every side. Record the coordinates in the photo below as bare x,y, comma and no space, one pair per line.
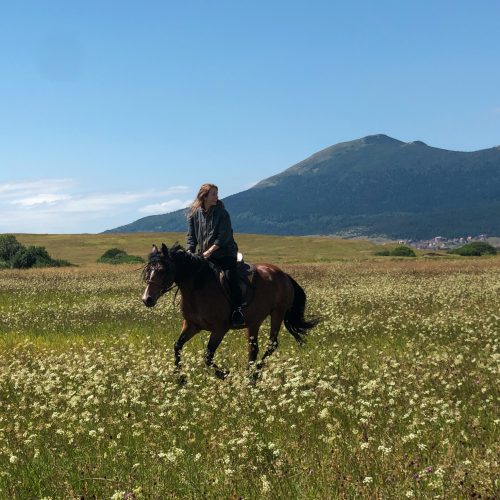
374,186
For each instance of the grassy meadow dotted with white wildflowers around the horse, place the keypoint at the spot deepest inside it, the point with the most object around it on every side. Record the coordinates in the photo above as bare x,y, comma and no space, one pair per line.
394,395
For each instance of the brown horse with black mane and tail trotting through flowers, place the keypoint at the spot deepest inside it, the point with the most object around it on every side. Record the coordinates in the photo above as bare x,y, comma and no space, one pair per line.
205,304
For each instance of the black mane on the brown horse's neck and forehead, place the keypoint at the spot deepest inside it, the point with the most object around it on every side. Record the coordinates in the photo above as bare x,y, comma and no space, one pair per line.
187,264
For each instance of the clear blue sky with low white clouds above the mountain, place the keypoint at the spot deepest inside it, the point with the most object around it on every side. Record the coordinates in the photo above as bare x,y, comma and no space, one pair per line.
111,111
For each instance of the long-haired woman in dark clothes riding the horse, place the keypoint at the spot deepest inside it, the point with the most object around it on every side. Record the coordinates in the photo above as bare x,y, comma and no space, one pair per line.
209,228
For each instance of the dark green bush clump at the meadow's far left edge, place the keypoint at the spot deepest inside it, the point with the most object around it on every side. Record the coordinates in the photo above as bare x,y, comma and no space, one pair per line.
15,255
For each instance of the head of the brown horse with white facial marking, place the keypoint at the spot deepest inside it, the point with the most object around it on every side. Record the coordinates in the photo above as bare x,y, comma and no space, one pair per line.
158,274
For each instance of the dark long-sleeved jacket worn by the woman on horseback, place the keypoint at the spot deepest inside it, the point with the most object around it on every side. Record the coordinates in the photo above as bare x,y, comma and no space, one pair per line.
211,228
